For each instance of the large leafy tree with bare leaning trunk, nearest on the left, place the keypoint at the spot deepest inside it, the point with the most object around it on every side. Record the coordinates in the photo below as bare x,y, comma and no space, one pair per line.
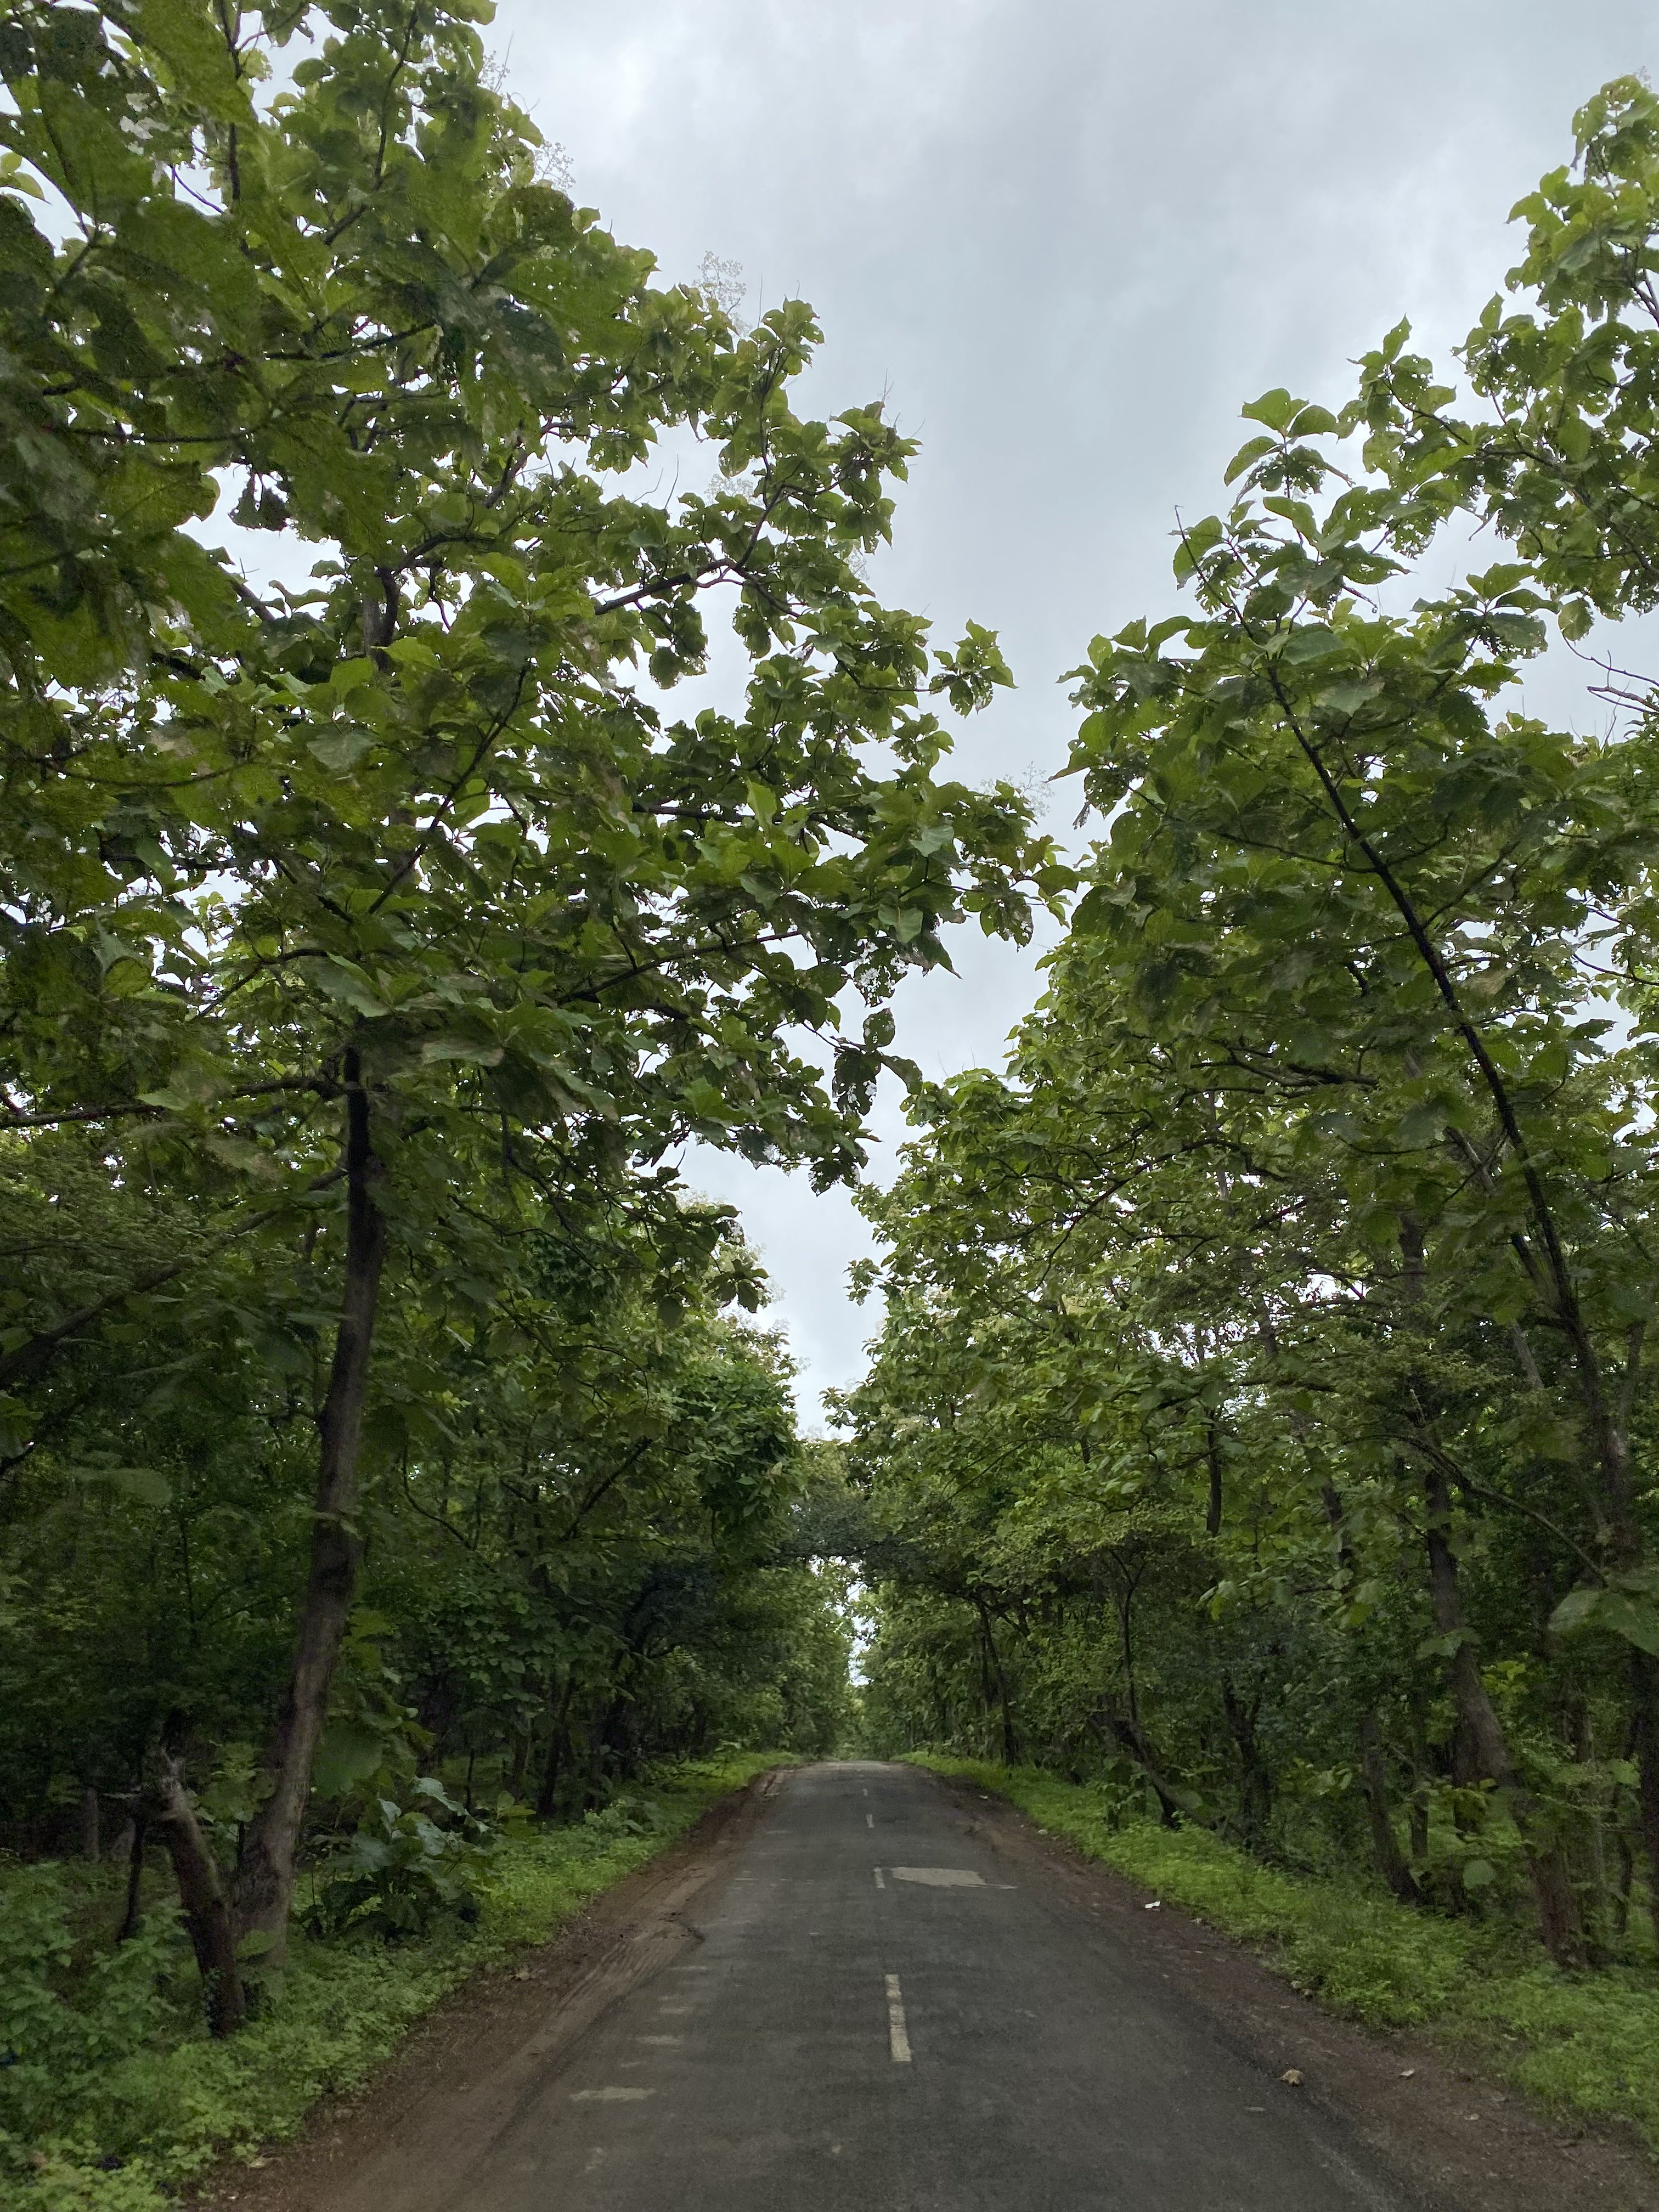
326,906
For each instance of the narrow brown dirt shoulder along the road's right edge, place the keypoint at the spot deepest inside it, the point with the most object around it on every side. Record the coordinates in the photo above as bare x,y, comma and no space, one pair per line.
1450,2133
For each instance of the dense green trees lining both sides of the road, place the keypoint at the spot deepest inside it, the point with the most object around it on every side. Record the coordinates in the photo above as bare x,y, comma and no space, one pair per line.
1264,1417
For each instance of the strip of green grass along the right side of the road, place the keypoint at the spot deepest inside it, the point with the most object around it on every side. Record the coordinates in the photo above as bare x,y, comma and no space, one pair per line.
1585,2045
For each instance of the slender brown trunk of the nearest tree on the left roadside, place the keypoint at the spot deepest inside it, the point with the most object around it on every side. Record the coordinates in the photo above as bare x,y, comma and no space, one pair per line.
267,1870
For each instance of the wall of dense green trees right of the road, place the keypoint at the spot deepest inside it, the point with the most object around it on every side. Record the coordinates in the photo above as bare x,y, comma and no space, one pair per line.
1264,1415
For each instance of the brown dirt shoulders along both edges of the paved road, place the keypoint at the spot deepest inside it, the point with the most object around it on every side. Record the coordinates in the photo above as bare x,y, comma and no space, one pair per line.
1452,2138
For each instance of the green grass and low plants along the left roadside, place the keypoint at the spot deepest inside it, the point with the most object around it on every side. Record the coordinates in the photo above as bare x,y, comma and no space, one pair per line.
127,2129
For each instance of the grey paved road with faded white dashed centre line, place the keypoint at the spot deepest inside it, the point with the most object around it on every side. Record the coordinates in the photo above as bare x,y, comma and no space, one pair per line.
877,2018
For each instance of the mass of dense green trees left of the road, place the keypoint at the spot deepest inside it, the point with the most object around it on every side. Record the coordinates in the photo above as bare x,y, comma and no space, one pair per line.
377,1432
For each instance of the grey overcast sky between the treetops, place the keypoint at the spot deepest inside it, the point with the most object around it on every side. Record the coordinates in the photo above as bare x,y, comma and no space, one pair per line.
1067,242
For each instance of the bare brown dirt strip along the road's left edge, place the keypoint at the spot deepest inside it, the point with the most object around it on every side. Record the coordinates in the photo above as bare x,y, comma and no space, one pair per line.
461,2074
